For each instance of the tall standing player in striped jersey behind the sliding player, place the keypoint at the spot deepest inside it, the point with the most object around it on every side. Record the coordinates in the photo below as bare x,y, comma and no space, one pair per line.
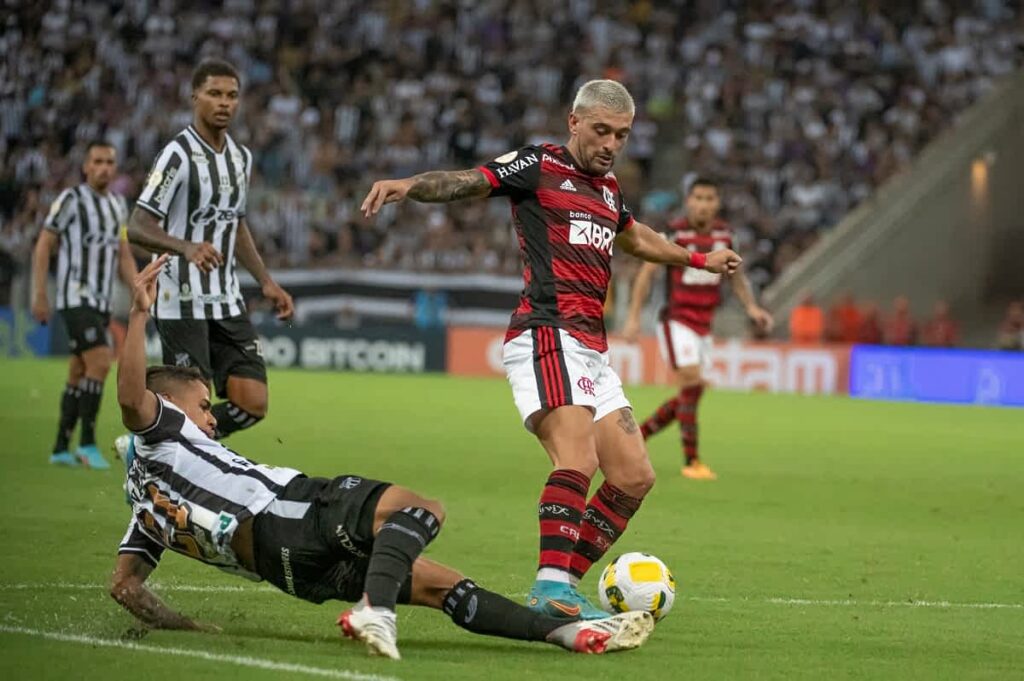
194,207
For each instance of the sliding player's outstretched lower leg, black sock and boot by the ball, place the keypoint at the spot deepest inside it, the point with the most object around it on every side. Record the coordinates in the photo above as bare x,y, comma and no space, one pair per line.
486,613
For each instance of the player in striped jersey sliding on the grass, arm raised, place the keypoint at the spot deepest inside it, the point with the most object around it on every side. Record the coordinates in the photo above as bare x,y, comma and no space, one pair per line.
348,538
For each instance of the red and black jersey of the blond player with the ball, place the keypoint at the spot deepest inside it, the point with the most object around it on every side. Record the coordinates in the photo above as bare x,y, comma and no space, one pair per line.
567,223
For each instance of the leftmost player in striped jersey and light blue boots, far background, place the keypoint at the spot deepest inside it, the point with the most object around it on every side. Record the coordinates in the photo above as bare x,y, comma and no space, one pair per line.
86,226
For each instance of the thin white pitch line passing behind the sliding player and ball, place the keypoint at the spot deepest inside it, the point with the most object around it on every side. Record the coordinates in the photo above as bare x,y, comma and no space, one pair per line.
218,589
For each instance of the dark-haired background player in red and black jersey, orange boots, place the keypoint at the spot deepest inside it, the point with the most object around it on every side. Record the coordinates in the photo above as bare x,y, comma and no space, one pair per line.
685,329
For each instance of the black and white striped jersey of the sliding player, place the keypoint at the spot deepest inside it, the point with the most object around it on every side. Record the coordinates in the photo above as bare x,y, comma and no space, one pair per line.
190,493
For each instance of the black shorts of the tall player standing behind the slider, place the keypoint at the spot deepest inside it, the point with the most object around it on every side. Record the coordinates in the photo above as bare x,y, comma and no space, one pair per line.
218,348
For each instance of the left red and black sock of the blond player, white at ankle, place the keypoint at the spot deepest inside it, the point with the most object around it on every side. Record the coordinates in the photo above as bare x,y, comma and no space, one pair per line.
561,512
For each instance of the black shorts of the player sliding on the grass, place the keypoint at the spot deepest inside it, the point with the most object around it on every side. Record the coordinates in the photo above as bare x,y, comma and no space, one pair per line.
324,555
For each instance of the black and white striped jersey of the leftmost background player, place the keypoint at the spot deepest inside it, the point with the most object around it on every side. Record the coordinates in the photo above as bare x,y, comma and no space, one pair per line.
90,226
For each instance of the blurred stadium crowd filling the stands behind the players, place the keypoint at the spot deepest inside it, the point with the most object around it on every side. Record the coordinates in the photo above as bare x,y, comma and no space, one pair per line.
799,108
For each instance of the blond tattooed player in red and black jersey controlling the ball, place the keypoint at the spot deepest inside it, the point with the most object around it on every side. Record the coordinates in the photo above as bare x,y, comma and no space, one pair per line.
569,216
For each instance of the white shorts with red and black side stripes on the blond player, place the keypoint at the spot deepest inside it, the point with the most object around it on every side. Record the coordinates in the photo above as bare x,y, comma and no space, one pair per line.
548,368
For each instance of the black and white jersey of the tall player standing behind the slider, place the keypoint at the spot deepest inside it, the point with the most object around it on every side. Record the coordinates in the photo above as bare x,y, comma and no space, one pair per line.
200,195
